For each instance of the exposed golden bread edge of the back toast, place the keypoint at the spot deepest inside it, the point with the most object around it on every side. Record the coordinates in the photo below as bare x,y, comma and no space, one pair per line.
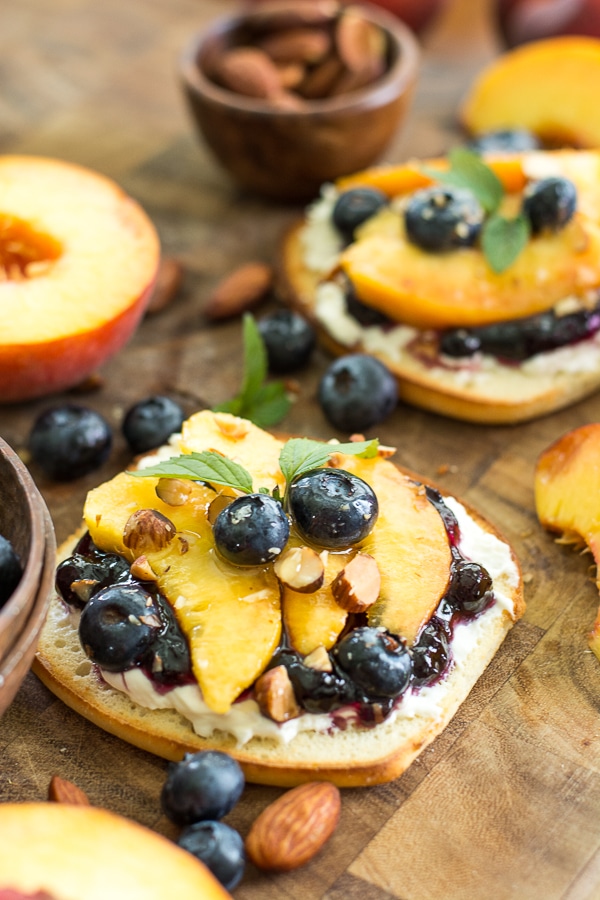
506,398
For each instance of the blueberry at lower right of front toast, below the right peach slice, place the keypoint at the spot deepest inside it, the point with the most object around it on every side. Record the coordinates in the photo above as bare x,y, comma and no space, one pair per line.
378,663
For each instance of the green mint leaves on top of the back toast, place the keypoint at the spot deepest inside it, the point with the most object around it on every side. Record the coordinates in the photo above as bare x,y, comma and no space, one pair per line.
502,239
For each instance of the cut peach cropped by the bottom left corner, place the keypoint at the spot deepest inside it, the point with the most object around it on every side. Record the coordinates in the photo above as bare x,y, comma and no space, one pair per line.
87,853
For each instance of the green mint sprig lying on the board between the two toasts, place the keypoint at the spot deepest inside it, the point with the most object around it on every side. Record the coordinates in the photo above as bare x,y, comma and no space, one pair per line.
265,404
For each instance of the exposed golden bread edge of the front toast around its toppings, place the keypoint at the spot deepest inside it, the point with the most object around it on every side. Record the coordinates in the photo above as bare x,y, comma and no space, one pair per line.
351,758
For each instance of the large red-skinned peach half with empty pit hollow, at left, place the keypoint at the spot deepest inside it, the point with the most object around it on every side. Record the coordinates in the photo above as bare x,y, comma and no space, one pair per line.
78,260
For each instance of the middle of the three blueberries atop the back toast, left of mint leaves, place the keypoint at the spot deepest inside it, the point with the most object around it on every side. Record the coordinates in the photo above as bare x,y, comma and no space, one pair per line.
443,218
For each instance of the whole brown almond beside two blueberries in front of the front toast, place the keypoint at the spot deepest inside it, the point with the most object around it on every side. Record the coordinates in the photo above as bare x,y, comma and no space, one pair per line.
293,829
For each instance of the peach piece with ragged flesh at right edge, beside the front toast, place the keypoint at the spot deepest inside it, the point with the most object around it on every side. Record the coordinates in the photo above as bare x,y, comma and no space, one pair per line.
567,492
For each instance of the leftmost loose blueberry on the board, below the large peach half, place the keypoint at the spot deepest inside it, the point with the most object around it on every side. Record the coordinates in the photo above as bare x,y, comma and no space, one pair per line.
69,441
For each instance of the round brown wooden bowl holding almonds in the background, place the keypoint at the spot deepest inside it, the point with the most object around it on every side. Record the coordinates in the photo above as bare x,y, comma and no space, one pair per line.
287,154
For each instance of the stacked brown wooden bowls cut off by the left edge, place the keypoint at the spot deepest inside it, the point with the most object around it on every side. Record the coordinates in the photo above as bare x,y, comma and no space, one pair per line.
25,521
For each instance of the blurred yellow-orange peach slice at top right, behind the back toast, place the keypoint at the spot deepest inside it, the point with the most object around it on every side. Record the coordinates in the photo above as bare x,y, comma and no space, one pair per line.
548,86
